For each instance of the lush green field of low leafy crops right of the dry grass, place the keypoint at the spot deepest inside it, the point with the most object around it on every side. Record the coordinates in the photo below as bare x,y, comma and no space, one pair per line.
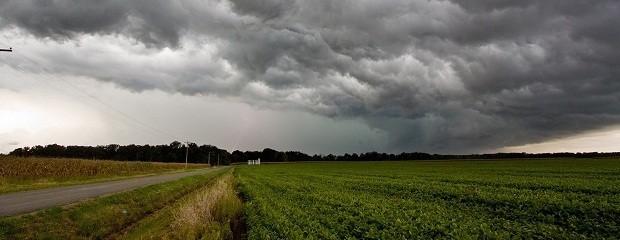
561,199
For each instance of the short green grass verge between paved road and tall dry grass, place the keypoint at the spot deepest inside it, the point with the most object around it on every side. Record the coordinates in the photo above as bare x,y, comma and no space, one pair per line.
101,217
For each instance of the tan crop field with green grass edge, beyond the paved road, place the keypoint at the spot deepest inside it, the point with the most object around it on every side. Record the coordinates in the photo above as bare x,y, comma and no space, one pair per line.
22,174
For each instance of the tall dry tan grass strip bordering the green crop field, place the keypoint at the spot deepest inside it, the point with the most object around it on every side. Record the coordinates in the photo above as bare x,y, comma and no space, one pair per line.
213,212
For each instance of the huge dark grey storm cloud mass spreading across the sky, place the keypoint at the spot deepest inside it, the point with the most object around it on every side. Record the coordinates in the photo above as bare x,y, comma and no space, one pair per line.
445,76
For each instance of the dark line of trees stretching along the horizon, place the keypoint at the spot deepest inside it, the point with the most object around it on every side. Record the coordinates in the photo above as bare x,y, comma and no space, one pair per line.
176,152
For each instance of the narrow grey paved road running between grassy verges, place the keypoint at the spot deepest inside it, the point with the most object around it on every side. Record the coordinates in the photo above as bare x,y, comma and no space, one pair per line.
25,202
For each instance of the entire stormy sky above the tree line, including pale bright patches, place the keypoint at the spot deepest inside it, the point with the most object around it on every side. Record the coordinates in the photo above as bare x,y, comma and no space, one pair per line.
317,76
